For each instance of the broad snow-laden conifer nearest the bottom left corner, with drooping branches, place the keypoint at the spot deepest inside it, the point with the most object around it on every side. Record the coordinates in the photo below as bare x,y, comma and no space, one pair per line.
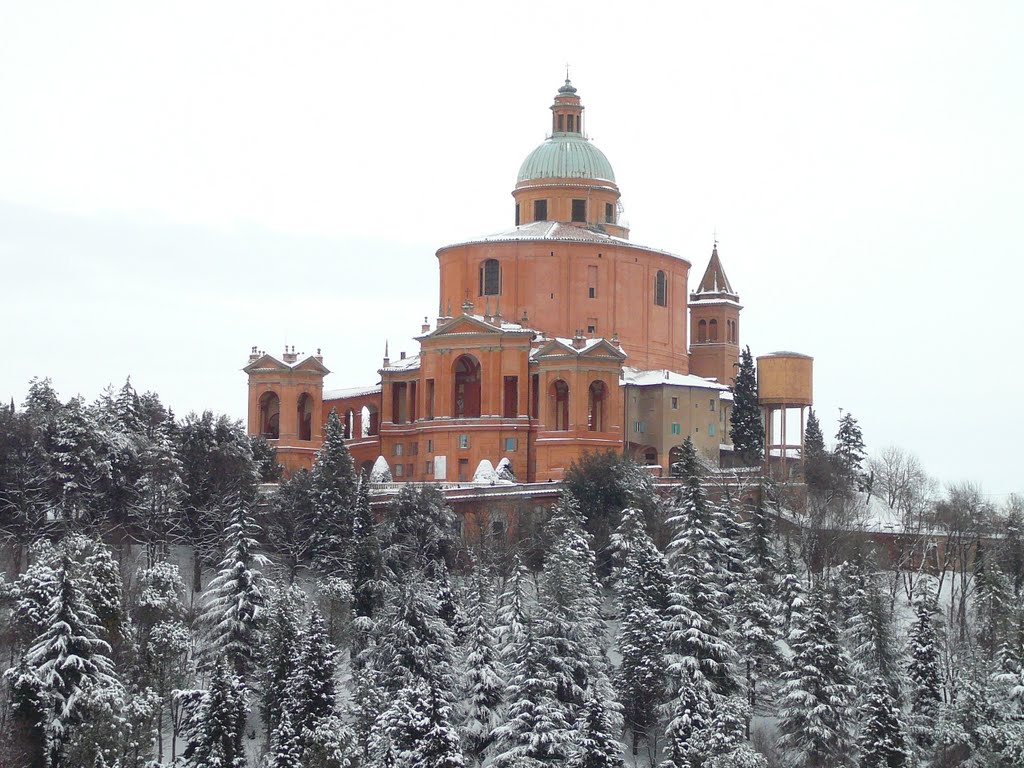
70,661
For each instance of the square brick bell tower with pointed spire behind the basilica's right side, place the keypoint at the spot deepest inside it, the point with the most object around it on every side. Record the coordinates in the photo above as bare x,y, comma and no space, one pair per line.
715,325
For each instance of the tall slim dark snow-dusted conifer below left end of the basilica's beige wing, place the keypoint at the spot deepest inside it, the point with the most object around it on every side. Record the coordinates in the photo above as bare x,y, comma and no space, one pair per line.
643,588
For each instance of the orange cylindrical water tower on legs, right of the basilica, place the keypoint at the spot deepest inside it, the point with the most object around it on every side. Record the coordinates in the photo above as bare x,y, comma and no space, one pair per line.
785,393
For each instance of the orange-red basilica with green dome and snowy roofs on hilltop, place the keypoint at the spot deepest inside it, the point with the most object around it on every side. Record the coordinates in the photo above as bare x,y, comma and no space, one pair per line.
556,337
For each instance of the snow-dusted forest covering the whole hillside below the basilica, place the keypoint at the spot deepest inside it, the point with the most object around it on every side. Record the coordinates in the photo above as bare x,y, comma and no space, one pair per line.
158,610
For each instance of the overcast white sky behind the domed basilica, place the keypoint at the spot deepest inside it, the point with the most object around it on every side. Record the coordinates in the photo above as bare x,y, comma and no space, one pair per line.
180,182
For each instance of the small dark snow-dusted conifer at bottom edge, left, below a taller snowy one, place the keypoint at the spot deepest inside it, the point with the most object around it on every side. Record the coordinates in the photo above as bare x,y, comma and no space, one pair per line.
218,727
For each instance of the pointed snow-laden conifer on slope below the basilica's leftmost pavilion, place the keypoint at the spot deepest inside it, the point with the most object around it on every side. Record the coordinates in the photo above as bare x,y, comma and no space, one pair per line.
235,601
